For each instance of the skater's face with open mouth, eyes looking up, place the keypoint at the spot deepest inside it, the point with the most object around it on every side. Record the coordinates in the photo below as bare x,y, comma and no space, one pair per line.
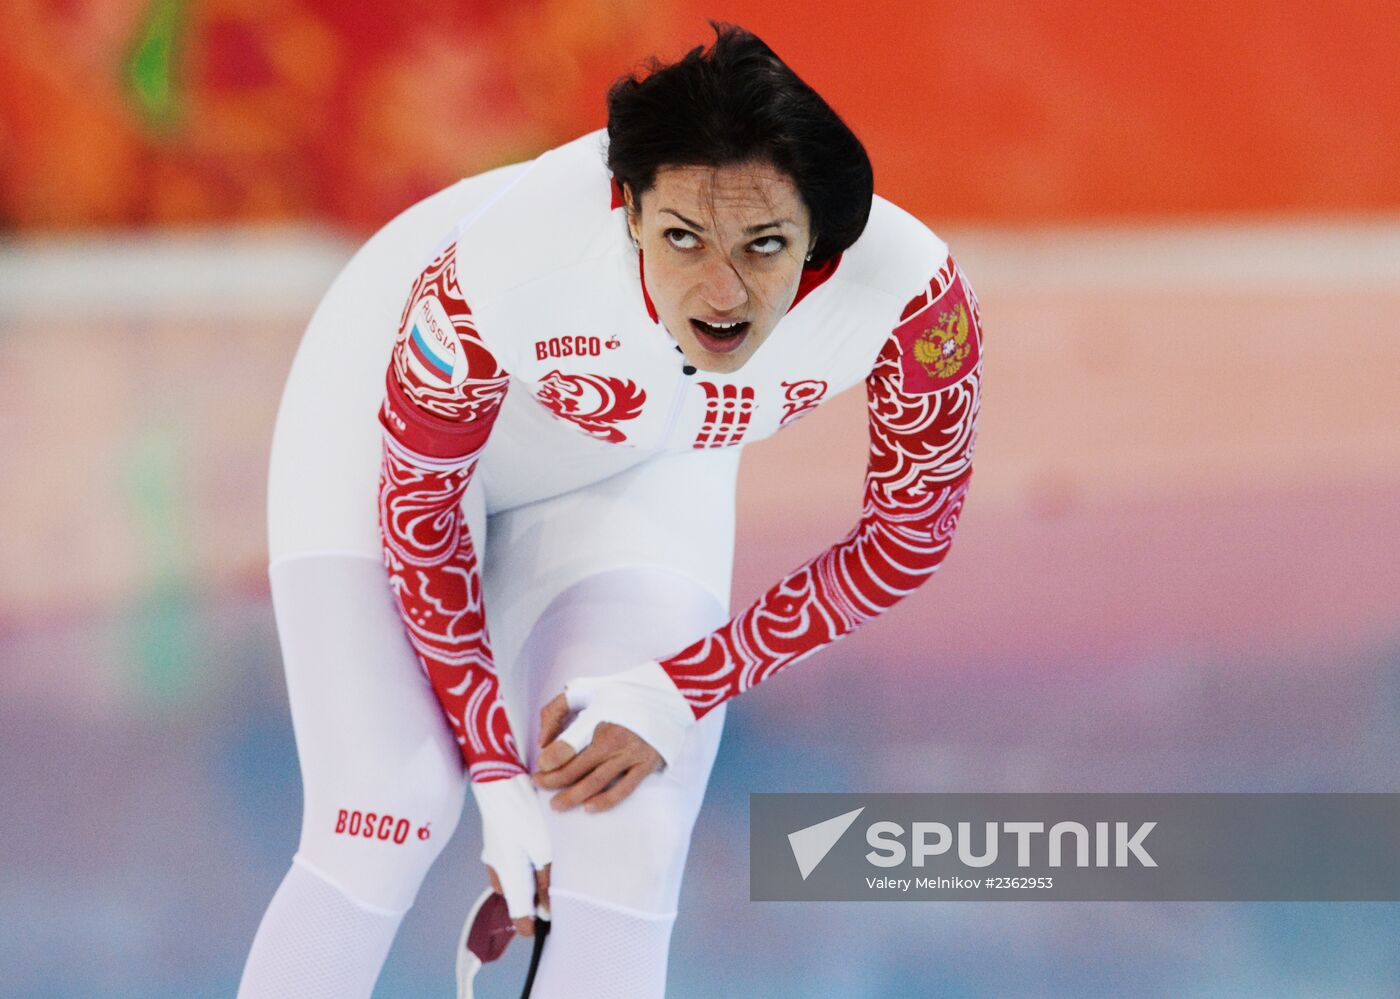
723,253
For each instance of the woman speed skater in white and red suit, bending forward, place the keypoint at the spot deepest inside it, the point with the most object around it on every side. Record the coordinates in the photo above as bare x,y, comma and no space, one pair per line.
503,493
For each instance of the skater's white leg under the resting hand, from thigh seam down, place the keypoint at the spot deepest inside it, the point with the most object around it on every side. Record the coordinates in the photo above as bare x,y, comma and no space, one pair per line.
617,875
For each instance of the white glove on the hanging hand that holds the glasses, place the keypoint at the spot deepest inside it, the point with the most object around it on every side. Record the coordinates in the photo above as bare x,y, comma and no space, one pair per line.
516,842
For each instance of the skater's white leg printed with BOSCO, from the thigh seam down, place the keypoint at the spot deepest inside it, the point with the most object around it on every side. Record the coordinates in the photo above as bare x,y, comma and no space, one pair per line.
383,783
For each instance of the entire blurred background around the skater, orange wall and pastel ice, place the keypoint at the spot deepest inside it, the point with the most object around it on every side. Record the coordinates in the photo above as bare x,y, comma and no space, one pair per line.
1179,567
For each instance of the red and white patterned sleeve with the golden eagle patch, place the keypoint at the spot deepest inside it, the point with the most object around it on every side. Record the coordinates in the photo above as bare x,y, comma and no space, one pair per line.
923,397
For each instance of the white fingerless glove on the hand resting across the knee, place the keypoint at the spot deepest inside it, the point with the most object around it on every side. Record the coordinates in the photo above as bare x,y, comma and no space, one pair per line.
643,699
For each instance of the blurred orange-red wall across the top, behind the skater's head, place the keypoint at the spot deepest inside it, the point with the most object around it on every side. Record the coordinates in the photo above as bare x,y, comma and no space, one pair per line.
141,113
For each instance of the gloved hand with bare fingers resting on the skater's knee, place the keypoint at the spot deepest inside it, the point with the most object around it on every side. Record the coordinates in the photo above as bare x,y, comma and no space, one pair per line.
628,725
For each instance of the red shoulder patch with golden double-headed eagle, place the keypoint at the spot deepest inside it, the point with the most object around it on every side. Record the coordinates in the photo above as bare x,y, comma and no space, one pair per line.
940,335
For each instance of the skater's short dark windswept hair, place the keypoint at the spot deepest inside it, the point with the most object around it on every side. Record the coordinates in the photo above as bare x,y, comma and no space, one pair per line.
734,103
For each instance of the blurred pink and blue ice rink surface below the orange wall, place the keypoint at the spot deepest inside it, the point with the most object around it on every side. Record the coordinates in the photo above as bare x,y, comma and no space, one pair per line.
1179,570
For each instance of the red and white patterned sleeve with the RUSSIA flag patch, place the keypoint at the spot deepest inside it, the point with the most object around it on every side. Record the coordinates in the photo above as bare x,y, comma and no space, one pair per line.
443,392
